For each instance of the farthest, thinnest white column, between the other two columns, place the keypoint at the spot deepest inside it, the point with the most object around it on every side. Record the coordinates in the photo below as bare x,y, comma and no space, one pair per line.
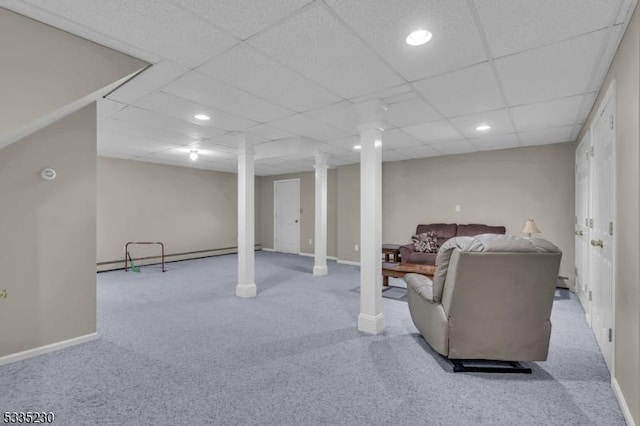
320,234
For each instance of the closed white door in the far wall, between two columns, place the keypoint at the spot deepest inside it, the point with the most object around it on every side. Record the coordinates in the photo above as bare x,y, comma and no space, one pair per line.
286,204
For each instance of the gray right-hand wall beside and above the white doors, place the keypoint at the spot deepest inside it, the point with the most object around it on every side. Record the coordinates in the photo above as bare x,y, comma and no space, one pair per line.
625,70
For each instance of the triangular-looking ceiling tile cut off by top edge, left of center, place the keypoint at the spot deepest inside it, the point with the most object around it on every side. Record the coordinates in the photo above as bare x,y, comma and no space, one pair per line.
241,17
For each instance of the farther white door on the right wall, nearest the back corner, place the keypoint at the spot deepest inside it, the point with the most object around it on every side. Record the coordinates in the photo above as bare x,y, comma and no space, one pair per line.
582,230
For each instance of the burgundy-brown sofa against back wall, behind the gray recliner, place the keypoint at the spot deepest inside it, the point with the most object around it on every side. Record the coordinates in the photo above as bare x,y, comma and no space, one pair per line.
444,231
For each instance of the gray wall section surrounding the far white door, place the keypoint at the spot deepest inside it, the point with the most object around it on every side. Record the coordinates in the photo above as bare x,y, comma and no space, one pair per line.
264,218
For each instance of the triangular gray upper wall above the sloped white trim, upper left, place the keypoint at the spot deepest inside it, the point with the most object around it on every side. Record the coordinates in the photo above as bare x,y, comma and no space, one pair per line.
44,69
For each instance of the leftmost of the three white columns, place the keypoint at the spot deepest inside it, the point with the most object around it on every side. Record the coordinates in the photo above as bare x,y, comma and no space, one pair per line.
246,221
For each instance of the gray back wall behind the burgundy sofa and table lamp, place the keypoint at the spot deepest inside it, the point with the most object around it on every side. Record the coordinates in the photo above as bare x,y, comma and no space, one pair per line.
497,188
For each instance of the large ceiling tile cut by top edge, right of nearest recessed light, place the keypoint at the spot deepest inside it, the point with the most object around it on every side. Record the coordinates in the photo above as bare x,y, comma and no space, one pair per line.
515,25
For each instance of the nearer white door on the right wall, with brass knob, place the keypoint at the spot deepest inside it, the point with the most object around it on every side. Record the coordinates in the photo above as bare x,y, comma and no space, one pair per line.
601,239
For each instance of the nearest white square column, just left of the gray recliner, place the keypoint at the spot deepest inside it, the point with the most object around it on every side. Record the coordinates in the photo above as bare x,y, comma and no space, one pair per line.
371,318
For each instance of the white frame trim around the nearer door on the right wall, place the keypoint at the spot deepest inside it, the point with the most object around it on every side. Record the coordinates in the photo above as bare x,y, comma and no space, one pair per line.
610,95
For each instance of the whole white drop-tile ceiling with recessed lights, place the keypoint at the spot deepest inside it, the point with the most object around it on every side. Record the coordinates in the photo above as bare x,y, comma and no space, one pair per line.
280,69
